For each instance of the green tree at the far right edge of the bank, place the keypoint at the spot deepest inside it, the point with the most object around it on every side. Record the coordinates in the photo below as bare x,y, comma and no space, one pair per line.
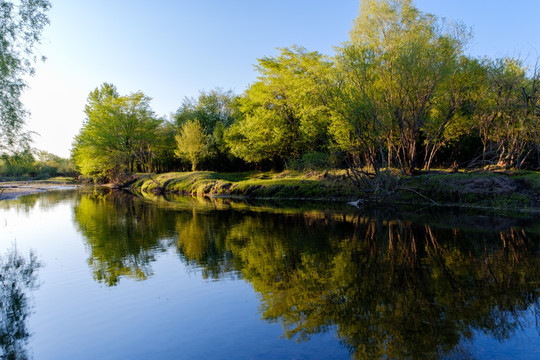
507,114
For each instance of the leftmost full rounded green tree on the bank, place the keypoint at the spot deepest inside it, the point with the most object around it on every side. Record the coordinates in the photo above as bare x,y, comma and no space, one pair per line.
118,134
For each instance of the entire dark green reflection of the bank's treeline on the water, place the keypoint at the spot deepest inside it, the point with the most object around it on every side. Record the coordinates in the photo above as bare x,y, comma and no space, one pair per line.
390,287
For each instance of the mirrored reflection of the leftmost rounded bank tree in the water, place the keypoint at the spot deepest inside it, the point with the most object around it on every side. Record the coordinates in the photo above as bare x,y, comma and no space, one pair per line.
123,235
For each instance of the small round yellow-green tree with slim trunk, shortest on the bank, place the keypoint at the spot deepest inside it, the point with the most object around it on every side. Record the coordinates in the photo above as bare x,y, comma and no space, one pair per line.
191,143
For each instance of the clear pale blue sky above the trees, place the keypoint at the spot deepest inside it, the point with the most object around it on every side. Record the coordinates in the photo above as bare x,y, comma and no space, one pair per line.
172,49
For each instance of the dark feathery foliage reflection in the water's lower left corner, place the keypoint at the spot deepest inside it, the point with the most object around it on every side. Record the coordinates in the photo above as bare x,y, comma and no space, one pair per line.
18,275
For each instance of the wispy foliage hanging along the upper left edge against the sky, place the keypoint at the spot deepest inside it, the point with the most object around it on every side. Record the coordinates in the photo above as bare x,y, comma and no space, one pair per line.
21,24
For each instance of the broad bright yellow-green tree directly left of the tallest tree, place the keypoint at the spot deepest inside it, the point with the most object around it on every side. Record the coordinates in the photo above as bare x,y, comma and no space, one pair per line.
284,116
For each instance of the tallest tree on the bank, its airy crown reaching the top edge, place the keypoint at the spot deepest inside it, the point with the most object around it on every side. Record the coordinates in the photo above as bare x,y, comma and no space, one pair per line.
401,60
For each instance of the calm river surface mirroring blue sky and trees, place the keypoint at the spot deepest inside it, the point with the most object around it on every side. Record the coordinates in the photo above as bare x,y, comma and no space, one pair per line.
94,274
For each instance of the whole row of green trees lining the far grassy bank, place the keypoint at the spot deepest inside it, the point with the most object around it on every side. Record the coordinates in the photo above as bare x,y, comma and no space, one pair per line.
400,93
